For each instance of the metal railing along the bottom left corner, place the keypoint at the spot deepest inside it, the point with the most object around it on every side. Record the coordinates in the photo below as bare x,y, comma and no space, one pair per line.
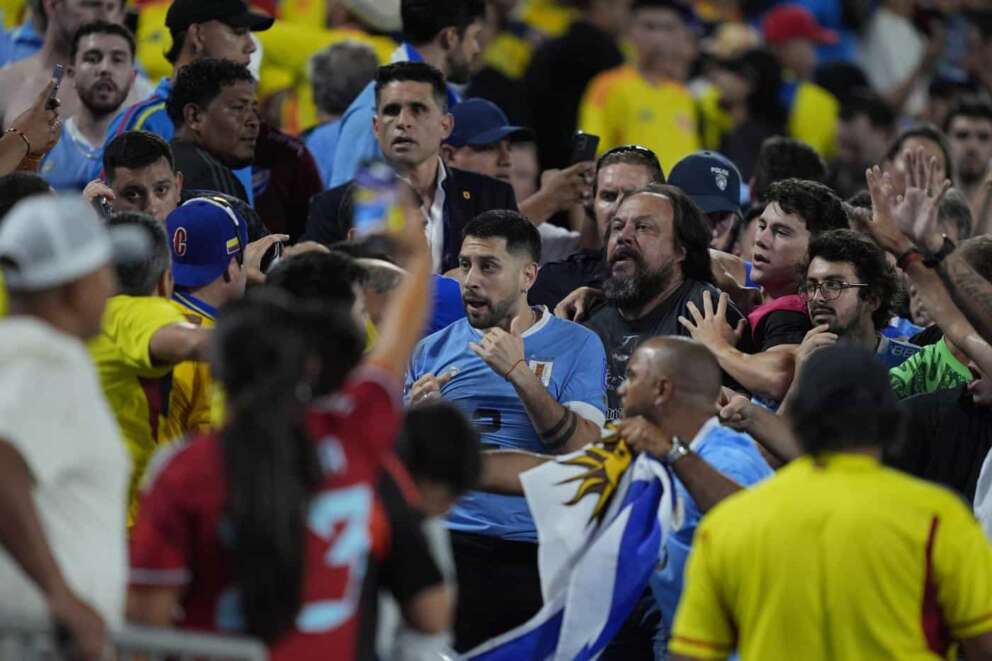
25,639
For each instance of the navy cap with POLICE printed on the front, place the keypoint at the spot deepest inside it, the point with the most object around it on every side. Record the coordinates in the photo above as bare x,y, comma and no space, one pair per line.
710,179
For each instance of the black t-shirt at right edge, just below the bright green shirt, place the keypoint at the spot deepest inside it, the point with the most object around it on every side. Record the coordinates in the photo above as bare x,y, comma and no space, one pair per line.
947,438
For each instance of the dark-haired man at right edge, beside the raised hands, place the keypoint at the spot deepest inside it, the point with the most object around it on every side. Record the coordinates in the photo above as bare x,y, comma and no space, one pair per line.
969,133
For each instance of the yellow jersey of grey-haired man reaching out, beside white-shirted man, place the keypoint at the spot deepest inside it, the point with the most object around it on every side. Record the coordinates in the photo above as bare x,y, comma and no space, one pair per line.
136,389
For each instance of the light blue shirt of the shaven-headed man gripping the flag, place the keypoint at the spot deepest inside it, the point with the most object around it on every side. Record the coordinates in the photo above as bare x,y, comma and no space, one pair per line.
736,456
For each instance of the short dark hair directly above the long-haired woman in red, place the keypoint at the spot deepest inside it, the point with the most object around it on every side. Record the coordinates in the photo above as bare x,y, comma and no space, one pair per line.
318,276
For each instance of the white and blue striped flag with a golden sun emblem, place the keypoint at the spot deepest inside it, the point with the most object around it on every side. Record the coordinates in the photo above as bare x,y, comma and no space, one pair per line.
602,519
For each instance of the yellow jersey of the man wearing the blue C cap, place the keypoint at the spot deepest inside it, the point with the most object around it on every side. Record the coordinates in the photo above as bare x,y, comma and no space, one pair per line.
192,386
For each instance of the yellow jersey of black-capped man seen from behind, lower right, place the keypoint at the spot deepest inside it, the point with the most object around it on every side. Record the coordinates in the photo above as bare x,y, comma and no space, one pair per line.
836,558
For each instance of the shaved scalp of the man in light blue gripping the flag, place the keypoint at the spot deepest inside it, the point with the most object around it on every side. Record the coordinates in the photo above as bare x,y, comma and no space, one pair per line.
689,365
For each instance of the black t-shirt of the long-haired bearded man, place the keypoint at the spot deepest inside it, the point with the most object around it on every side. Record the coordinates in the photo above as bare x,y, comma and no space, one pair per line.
622,336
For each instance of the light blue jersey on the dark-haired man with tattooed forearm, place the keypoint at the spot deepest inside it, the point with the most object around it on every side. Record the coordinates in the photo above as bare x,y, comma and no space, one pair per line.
570,361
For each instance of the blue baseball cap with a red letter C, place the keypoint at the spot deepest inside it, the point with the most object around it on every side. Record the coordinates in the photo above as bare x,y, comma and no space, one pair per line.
205,234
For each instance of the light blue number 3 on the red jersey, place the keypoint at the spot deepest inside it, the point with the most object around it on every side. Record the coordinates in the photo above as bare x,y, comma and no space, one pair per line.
341,517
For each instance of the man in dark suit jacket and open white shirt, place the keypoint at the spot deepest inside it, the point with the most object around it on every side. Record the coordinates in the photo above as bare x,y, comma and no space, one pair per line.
411,121
